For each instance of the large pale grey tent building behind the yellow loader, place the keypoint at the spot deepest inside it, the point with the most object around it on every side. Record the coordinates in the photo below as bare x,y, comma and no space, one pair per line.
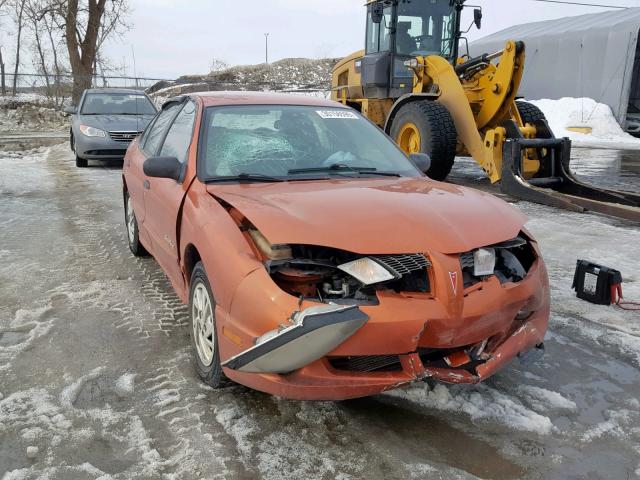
592,56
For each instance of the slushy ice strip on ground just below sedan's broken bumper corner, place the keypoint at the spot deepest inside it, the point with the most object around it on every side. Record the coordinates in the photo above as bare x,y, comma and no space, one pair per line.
479,402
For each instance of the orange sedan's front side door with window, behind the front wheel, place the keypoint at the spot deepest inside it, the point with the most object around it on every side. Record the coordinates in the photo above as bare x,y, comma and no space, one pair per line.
163,198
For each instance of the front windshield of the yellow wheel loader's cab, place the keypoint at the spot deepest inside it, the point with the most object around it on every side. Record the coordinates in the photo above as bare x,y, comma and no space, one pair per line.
425,28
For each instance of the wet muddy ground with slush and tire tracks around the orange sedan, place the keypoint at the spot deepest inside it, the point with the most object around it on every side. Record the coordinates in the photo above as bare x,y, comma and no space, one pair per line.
97,381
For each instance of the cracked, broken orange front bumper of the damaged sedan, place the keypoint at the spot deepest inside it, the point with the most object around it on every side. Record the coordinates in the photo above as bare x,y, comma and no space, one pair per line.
410,337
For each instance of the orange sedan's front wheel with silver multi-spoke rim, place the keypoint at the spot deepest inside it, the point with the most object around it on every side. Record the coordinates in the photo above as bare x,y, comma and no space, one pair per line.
204,338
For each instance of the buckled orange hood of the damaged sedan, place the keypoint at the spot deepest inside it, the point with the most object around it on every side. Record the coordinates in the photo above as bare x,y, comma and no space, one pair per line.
378,216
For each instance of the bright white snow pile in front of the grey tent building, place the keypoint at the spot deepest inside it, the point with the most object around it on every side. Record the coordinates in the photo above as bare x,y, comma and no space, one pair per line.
585,112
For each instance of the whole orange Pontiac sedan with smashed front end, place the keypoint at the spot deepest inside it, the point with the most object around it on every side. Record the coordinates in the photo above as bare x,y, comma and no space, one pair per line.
318,261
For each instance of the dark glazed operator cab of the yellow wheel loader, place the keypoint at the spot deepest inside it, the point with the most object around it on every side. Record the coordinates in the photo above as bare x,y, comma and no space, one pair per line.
398,30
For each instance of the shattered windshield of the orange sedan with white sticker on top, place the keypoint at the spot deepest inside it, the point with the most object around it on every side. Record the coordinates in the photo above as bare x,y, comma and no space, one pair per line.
281,140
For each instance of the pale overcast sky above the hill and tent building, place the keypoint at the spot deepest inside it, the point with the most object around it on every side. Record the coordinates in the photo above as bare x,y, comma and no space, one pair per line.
176,37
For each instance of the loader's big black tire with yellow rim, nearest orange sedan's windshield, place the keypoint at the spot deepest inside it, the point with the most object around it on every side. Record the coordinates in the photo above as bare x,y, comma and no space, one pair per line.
427,127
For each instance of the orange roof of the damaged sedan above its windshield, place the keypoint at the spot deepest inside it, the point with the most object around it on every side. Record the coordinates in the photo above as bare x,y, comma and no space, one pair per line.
210,99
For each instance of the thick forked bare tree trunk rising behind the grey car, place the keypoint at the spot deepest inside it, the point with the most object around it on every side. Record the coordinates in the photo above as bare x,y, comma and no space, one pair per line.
87,24
